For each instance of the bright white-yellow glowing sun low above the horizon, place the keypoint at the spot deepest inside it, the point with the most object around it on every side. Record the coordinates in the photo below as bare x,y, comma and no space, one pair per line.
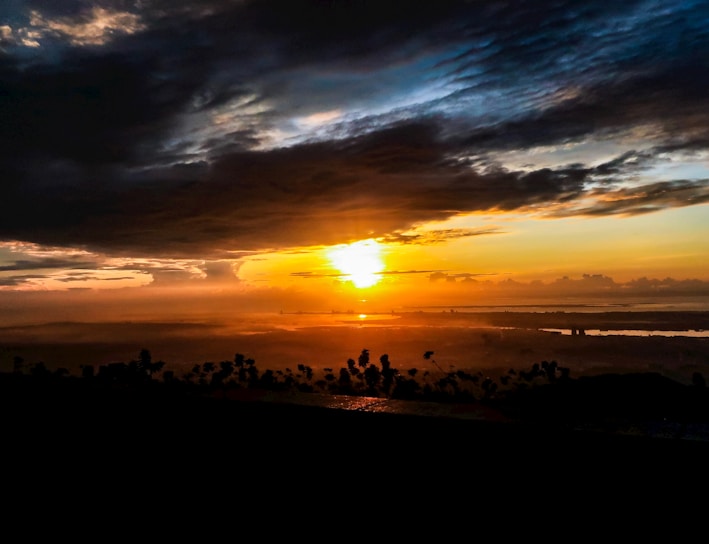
360,262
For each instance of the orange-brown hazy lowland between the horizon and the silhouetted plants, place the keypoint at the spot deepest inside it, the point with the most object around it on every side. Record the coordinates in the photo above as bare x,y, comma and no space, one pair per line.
487,341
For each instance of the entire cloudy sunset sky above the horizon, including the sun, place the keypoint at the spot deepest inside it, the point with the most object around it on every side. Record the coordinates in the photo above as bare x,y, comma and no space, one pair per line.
215,156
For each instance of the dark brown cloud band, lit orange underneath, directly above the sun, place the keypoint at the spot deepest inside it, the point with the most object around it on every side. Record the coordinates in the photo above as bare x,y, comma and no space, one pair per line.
316,193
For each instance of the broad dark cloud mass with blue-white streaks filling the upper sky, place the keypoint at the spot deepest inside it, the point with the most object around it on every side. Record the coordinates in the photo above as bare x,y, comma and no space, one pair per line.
155,136
